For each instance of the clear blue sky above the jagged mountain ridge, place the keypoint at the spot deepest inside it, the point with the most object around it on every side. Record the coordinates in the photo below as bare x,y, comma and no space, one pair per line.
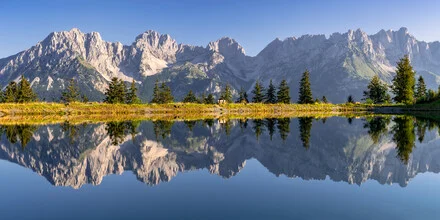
252,23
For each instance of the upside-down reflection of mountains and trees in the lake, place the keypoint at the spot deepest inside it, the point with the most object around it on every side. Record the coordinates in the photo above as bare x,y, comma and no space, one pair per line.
388,149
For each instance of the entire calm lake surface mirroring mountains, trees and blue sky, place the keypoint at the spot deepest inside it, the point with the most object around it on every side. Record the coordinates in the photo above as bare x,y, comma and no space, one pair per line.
302,168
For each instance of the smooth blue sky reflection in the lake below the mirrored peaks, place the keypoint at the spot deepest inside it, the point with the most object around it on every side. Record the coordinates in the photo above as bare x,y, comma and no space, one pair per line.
253,194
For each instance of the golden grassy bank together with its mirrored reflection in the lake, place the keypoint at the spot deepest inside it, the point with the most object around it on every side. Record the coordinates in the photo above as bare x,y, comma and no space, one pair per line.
48,113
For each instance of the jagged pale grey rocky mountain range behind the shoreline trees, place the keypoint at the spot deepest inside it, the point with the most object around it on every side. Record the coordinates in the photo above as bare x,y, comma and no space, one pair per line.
340,65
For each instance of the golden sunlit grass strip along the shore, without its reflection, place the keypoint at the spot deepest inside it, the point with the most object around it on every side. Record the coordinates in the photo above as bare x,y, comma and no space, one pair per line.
43,108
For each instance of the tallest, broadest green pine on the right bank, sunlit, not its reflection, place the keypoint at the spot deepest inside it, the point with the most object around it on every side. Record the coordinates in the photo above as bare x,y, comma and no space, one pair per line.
404,82
